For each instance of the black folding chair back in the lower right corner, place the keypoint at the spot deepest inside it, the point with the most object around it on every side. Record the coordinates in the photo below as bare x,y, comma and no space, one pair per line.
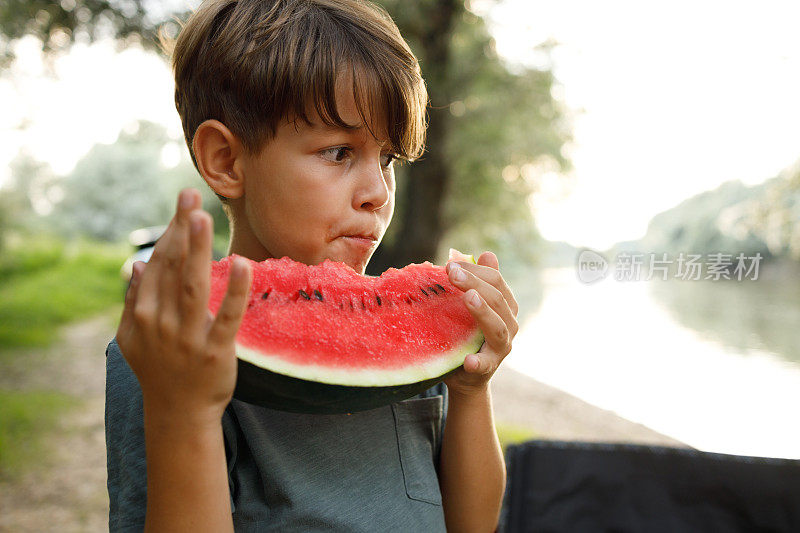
559,486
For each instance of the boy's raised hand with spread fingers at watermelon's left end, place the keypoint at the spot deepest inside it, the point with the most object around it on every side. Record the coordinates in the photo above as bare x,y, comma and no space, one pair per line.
183,357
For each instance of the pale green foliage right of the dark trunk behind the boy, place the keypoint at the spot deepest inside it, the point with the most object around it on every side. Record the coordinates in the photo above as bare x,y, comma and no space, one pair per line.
501,122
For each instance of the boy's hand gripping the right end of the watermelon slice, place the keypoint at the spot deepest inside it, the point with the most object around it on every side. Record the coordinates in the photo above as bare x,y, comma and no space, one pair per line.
496,314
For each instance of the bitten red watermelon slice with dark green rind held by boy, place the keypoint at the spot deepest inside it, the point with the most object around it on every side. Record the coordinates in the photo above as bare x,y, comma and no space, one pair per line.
325,339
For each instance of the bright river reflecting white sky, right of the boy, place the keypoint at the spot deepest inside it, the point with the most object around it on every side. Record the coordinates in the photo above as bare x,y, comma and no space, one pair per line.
715,364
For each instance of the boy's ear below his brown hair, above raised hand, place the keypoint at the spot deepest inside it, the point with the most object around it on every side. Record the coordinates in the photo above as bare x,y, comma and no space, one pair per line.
217,152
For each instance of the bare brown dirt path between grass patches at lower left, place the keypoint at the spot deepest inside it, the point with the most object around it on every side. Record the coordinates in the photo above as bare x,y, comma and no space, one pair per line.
67,492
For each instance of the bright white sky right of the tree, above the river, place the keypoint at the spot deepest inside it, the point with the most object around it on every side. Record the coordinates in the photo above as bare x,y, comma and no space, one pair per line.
677,98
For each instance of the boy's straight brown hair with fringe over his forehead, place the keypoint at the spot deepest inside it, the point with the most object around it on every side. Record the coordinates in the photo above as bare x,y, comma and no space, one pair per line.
250,63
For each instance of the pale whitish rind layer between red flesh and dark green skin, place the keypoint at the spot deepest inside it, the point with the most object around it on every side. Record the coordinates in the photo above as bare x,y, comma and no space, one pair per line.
373,377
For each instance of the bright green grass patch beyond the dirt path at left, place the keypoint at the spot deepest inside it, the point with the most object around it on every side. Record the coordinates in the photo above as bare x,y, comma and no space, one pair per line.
46,284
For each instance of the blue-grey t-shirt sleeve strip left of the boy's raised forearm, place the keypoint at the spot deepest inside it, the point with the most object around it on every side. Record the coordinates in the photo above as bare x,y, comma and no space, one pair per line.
125,453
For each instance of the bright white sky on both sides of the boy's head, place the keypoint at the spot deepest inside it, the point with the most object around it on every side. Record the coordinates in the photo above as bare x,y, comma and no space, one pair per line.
667,100
